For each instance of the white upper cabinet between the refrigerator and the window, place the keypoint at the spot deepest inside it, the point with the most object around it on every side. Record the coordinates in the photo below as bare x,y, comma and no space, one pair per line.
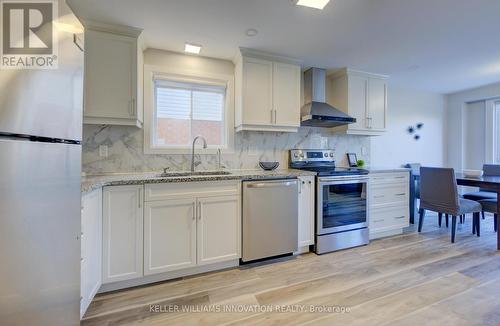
113,75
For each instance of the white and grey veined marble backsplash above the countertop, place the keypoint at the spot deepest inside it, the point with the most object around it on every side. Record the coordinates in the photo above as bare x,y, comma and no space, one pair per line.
125,150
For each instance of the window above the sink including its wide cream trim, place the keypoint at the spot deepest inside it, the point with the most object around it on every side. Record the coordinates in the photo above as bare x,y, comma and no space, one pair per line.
182,105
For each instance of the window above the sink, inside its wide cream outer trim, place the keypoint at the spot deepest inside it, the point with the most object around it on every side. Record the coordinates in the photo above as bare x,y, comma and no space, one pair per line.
184,110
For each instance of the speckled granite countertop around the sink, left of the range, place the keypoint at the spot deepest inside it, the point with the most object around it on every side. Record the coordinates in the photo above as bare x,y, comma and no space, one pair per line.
92,182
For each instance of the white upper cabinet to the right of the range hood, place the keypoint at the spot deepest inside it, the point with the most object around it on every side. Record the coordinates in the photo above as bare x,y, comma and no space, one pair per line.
363,96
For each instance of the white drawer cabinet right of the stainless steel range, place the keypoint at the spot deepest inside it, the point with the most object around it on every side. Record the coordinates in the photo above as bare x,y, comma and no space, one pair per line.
389,204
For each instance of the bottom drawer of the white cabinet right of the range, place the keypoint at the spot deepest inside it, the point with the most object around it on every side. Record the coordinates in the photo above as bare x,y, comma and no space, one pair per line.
390,217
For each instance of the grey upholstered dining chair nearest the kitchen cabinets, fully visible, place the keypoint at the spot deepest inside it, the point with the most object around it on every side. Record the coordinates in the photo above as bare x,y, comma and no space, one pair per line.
439,193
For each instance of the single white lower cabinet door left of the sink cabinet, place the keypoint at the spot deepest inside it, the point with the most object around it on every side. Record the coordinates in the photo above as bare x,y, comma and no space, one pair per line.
122,233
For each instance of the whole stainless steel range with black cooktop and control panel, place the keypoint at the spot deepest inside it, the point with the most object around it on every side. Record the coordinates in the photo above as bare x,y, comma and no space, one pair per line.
341,200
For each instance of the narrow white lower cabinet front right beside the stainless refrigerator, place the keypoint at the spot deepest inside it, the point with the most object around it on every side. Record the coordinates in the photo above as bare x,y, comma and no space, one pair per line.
91,248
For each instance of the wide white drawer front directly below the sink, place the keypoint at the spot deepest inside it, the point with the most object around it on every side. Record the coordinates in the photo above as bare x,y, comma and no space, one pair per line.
182,190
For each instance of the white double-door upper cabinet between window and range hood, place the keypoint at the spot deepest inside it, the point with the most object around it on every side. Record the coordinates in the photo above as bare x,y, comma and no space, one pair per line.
267,93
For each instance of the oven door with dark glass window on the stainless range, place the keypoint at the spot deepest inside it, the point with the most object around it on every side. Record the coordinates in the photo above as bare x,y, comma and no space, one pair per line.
341,204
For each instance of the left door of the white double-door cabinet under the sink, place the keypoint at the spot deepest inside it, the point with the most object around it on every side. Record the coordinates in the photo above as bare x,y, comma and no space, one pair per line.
169,235
